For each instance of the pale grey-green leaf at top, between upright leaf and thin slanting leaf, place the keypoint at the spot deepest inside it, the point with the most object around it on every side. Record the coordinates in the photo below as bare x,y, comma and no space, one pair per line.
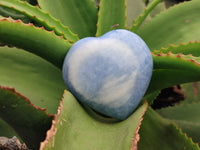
134,8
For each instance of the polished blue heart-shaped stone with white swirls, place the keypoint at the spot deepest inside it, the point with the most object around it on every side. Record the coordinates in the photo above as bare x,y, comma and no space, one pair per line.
109,73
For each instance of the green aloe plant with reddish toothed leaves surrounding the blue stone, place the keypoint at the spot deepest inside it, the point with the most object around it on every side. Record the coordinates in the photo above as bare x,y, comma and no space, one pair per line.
35,104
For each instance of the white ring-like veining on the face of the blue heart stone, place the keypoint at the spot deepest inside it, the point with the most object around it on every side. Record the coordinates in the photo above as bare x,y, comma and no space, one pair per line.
114,88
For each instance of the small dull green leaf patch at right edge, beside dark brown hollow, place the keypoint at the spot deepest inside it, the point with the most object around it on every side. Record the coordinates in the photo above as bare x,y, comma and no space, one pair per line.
192,92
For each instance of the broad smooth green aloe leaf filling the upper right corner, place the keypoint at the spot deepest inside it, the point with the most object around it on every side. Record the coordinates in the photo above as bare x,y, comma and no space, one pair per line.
178,24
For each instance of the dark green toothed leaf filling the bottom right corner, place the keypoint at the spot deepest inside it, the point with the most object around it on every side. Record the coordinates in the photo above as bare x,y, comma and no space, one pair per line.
157,133
